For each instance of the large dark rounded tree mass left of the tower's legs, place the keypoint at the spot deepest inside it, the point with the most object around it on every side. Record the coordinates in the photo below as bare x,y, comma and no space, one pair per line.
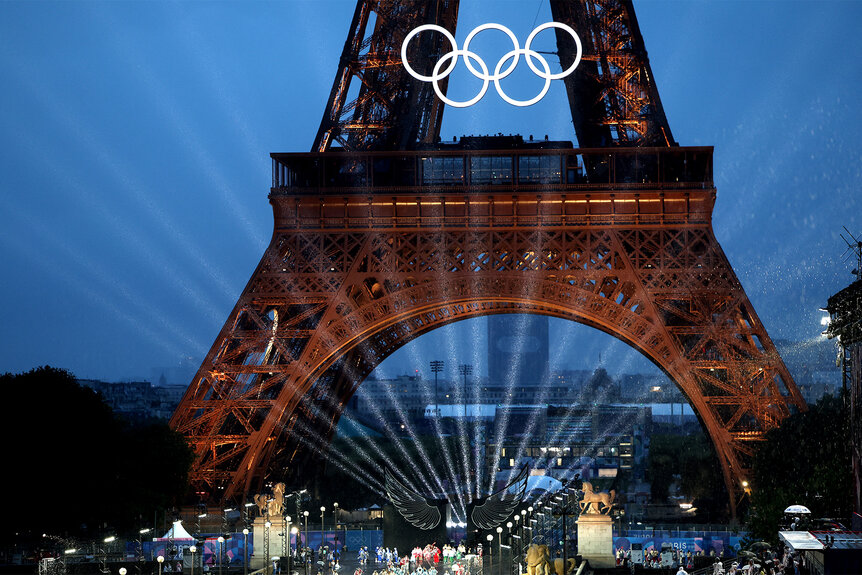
74,469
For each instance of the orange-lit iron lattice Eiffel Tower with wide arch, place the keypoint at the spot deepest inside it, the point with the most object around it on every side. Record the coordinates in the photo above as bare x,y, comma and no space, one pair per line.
377,243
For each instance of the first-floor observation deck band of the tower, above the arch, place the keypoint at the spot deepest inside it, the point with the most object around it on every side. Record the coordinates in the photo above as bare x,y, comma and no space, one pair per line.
494,182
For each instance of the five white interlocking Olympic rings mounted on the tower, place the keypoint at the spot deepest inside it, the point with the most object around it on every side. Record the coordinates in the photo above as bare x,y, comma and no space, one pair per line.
499,73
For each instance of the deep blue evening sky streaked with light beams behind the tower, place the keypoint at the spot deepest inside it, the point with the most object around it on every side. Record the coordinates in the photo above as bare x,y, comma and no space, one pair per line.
134,168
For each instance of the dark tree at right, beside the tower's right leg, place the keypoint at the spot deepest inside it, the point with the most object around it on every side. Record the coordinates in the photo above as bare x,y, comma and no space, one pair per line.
806,460
